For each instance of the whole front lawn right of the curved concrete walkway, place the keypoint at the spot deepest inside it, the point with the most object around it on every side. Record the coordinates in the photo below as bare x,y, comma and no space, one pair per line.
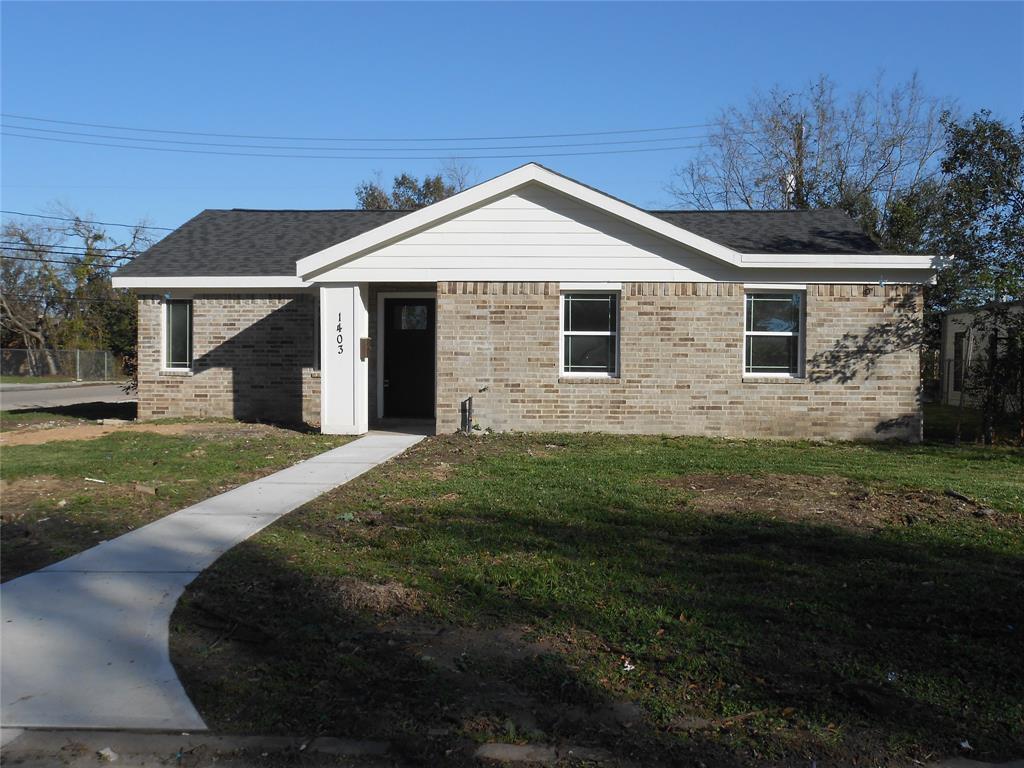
671,601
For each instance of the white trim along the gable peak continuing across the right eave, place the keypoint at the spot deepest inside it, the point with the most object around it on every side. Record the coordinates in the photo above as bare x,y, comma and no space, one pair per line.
315,265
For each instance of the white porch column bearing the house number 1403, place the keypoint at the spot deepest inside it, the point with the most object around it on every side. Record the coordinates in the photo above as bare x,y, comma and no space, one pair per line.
345,376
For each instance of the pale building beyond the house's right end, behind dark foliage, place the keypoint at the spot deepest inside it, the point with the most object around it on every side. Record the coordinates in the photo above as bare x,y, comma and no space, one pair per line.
969,332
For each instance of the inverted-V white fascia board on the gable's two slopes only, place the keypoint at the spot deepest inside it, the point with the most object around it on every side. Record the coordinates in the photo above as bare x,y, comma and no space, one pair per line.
496,188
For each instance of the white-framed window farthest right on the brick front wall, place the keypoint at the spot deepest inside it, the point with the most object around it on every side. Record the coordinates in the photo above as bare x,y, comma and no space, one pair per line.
773,344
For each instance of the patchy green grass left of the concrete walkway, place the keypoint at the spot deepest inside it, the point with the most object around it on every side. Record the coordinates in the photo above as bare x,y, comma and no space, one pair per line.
52,511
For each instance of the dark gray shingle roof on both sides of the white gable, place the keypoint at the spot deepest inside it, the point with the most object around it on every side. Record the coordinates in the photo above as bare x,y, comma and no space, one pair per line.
248,243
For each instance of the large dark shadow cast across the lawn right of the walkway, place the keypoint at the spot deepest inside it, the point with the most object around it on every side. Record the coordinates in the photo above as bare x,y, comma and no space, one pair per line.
831,645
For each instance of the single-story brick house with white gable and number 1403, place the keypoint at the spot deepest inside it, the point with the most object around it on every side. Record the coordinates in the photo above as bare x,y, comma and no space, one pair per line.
534,303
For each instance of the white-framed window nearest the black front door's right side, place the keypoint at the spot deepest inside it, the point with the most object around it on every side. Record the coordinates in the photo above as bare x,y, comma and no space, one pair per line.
590,334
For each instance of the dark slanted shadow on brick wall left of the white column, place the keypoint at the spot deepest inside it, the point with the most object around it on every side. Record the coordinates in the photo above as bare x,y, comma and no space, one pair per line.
266,361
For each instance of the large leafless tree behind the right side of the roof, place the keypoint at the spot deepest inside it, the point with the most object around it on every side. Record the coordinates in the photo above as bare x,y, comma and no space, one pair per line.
814,149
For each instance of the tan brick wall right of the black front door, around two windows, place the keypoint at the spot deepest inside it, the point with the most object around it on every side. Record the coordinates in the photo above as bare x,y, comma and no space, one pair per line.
681,364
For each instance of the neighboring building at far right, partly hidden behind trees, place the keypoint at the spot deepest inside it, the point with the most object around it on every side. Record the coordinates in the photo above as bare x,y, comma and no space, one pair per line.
965,348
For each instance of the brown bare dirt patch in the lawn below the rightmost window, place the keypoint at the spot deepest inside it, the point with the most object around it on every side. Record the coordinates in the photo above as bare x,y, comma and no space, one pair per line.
837,501
